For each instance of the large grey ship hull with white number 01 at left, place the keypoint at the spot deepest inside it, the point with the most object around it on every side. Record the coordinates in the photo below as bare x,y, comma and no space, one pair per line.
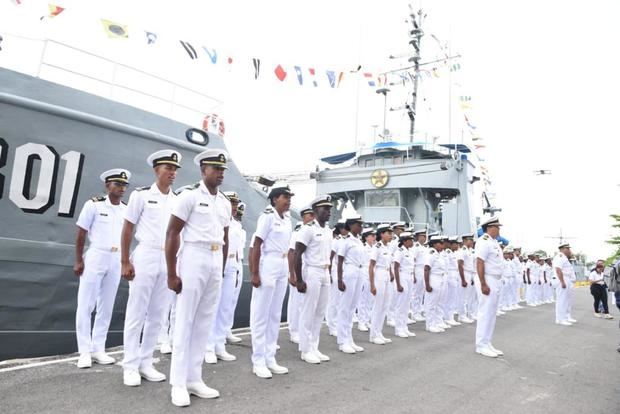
54,143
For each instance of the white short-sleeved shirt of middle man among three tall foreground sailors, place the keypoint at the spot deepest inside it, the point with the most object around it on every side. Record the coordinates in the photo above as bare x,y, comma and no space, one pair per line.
149,210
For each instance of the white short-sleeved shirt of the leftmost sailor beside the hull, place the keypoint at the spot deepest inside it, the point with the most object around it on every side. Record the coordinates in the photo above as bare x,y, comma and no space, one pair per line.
104,222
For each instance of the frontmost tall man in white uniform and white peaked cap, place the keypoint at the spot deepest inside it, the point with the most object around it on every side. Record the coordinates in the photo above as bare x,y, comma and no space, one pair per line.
200,220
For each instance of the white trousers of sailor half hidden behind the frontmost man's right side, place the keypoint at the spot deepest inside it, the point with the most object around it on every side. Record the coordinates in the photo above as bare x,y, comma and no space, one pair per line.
225,314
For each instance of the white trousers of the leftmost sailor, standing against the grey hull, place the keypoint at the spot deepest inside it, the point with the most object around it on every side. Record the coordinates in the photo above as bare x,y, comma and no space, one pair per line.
98,287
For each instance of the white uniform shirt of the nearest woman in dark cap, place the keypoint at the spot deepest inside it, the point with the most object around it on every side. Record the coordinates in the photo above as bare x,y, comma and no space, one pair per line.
275,232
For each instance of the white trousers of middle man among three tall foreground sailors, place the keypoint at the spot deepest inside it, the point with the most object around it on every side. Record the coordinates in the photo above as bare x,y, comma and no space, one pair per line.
149,297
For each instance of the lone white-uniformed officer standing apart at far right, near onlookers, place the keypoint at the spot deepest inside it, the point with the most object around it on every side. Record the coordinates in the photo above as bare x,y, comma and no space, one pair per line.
565,285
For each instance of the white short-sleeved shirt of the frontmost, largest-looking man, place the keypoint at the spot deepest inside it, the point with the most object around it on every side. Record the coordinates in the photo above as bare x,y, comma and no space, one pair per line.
205,215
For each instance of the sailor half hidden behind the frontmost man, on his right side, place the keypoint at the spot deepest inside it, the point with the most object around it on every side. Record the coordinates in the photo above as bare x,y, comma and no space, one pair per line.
216,344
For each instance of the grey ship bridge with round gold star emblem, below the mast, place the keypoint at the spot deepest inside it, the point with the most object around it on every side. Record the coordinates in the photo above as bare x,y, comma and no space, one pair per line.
414,182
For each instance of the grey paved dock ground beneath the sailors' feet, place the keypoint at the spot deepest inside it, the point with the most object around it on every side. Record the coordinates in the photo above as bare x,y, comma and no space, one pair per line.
547,369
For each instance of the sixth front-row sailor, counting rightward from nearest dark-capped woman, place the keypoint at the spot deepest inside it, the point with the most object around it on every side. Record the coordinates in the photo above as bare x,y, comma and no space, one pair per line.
435,270
